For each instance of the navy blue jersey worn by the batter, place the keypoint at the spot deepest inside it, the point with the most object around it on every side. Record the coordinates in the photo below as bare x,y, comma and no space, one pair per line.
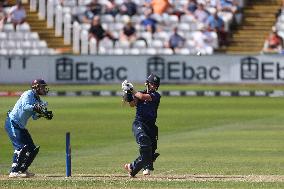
146,111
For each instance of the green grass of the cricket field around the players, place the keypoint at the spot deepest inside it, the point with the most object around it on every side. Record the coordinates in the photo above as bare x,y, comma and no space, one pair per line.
198,135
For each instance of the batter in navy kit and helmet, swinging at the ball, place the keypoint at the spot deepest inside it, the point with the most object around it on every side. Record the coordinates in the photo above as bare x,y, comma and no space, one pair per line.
144,126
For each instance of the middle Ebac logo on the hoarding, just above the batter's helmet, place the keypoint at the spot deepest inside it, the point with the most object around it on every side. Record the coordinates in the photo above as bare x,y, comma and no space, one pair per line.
180,70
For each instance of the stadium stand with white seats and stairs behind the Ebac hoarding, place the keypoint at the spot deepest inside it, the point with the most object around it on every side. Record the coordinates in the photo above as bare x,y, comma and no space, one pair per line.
63,26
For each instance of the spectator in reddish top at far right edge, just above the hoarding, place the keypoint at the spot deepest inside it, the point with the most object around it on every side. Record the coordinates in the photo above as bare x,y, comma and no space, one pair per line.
273,43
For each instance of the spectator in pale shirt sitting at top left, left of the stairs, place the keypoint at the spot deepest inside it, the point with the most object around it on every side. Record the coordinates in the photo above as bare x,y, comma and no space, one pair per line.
17,14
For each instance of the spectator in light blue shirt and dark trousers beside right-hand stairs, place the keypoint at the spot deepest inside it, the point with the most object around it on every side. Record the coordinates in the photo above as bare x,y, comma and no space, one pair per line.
215,23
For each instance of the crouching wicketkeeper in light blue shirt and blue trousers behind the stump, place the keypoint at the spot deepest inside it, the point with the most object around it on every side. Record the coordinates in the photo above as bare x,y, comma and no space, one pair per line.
28,105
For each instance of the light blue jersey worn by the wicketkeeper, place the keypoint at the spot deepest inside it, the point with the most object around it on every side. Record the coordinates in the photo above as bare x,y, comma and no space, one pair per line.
23,109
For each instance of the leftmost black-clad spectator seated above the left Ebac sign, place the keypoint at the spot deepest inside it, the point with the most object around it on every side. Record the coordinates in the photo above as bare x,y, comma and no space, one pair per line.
97,31
